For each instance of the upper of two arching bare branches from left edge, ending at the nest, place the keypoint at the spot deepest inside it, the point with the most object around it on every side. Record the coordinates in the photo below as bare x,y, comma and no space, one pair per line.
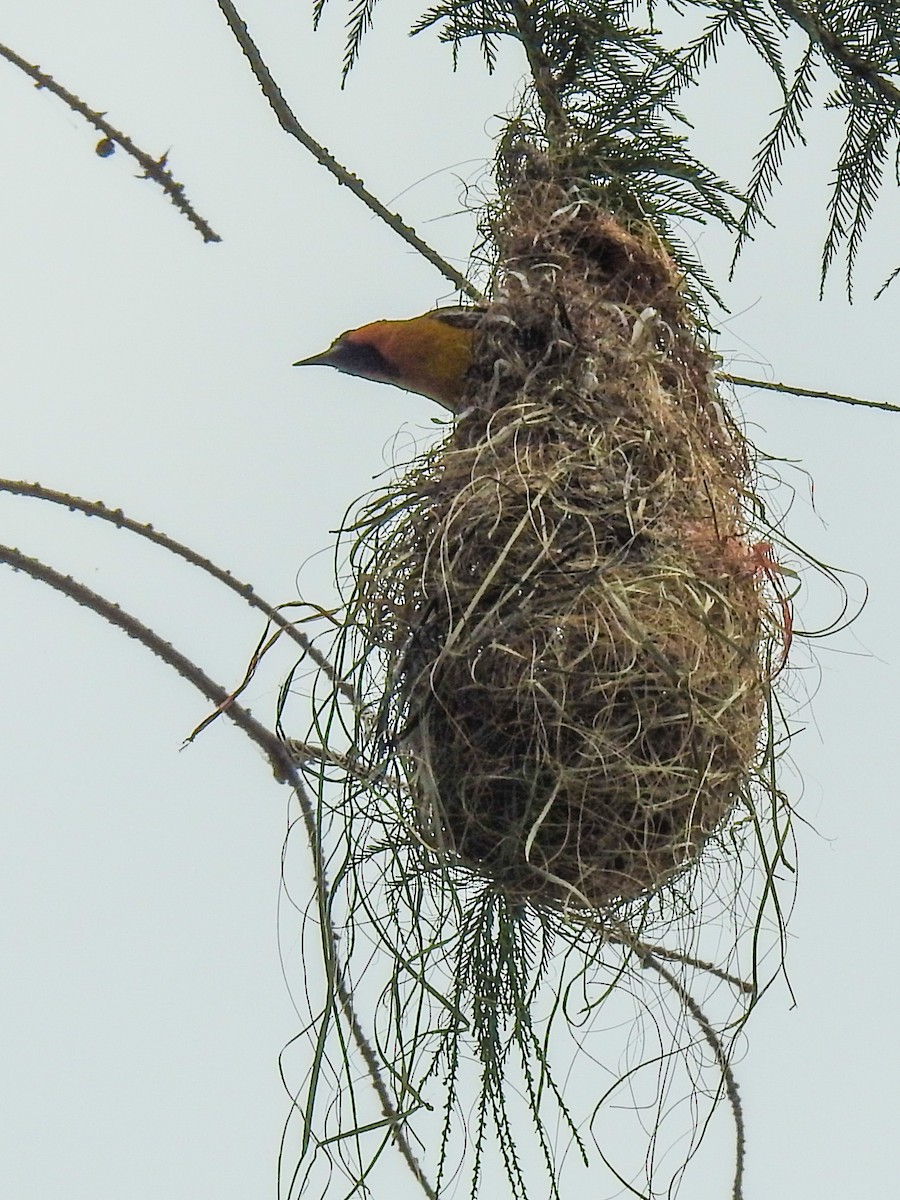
245,591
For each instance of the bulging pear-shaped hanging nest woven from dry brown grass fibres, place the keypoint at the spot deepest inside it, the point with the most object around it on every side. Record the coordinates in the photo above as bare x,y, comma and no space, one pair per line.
565,591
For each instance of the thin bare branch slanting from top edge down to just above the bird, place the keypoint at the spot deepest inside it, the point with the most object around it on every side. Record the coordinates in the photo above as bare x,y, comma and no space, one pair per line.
291,125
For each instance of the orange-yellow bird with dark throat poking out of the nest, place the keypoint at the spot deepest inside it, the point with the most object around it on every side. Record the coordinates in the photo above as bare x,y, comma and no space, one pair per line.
429,355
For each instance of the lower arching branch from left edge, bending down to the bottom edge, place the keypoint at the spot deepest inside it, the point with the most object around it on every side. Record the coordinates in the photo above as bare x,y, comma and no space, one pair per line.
281,759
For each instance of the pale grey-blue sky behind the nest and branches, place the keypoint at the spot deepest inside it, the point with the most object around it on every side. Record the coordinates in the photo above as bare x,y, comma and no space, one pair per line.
142,1001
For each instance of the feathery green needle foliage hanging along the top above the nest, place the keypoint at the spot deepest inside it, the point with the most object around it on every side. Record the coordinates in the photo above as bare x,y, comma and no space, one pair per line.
607,80
